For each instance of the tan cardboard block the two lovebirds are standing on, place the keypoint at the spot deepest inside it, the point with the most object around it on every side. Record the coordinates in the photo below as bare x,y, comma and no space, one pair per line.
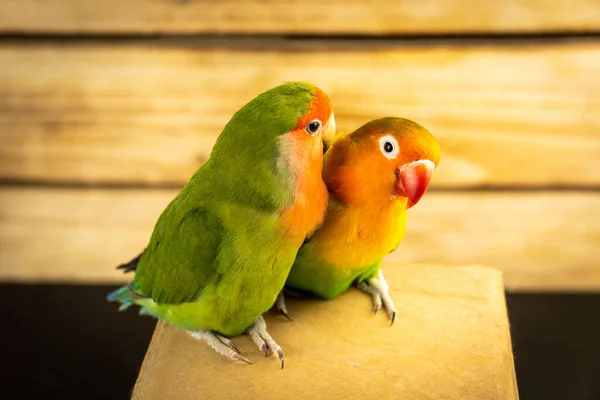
450,340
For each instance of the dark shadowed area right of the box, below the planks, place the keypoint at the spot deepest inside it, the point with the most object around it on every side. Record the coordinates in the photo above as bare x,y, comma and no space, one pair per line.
556,342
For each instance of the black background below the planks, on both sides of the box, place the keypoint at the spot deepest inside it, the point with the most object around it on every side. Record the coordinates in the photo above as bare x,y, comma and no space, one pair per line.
62,341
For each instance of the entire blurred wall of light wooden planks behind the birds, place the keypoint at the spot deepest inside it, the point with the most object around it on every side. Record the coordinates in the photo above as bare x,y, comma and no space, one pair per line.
108,107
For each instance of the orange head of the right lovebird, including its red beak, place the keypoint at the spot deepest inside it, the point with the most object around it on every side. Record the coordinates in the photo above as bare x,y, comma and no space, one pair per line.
385,159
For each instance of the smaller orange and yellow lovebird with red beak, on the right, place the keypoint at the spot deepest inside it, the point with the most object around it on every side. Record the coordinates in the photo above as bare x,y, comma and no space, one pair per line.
374,175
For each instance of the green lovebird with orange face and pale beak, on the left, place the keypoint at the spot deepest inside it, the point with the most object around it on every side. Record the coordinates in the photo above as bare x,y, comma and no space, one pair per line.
222,249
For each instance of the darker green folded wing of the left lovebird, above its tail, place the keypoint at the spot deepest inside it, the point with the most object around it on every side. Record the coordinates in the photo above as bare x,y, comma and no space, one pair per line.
179,261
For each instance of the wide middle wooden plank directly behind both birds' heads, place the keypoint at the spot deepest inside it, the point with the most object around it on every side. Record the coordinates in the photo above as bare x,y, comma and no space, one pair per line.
141,113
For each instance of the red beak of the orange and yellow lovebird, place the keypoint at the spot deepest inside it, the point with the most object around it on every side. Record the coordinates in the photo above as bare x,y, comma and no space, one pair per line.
412,180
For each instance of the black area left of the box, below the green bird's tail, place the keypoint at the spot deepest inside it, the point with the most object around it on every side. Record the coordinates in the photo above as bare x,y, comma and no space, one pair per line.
60,341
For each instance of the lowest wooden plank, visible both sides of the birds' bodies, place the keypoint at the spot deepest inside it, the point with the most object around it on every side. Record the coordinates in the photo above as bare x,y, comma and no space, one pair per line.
541,240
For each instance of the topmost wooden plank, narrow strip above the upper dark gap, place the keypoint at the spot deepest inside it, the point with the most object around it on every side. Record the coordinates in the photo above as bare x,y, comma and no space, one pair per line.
379,17
